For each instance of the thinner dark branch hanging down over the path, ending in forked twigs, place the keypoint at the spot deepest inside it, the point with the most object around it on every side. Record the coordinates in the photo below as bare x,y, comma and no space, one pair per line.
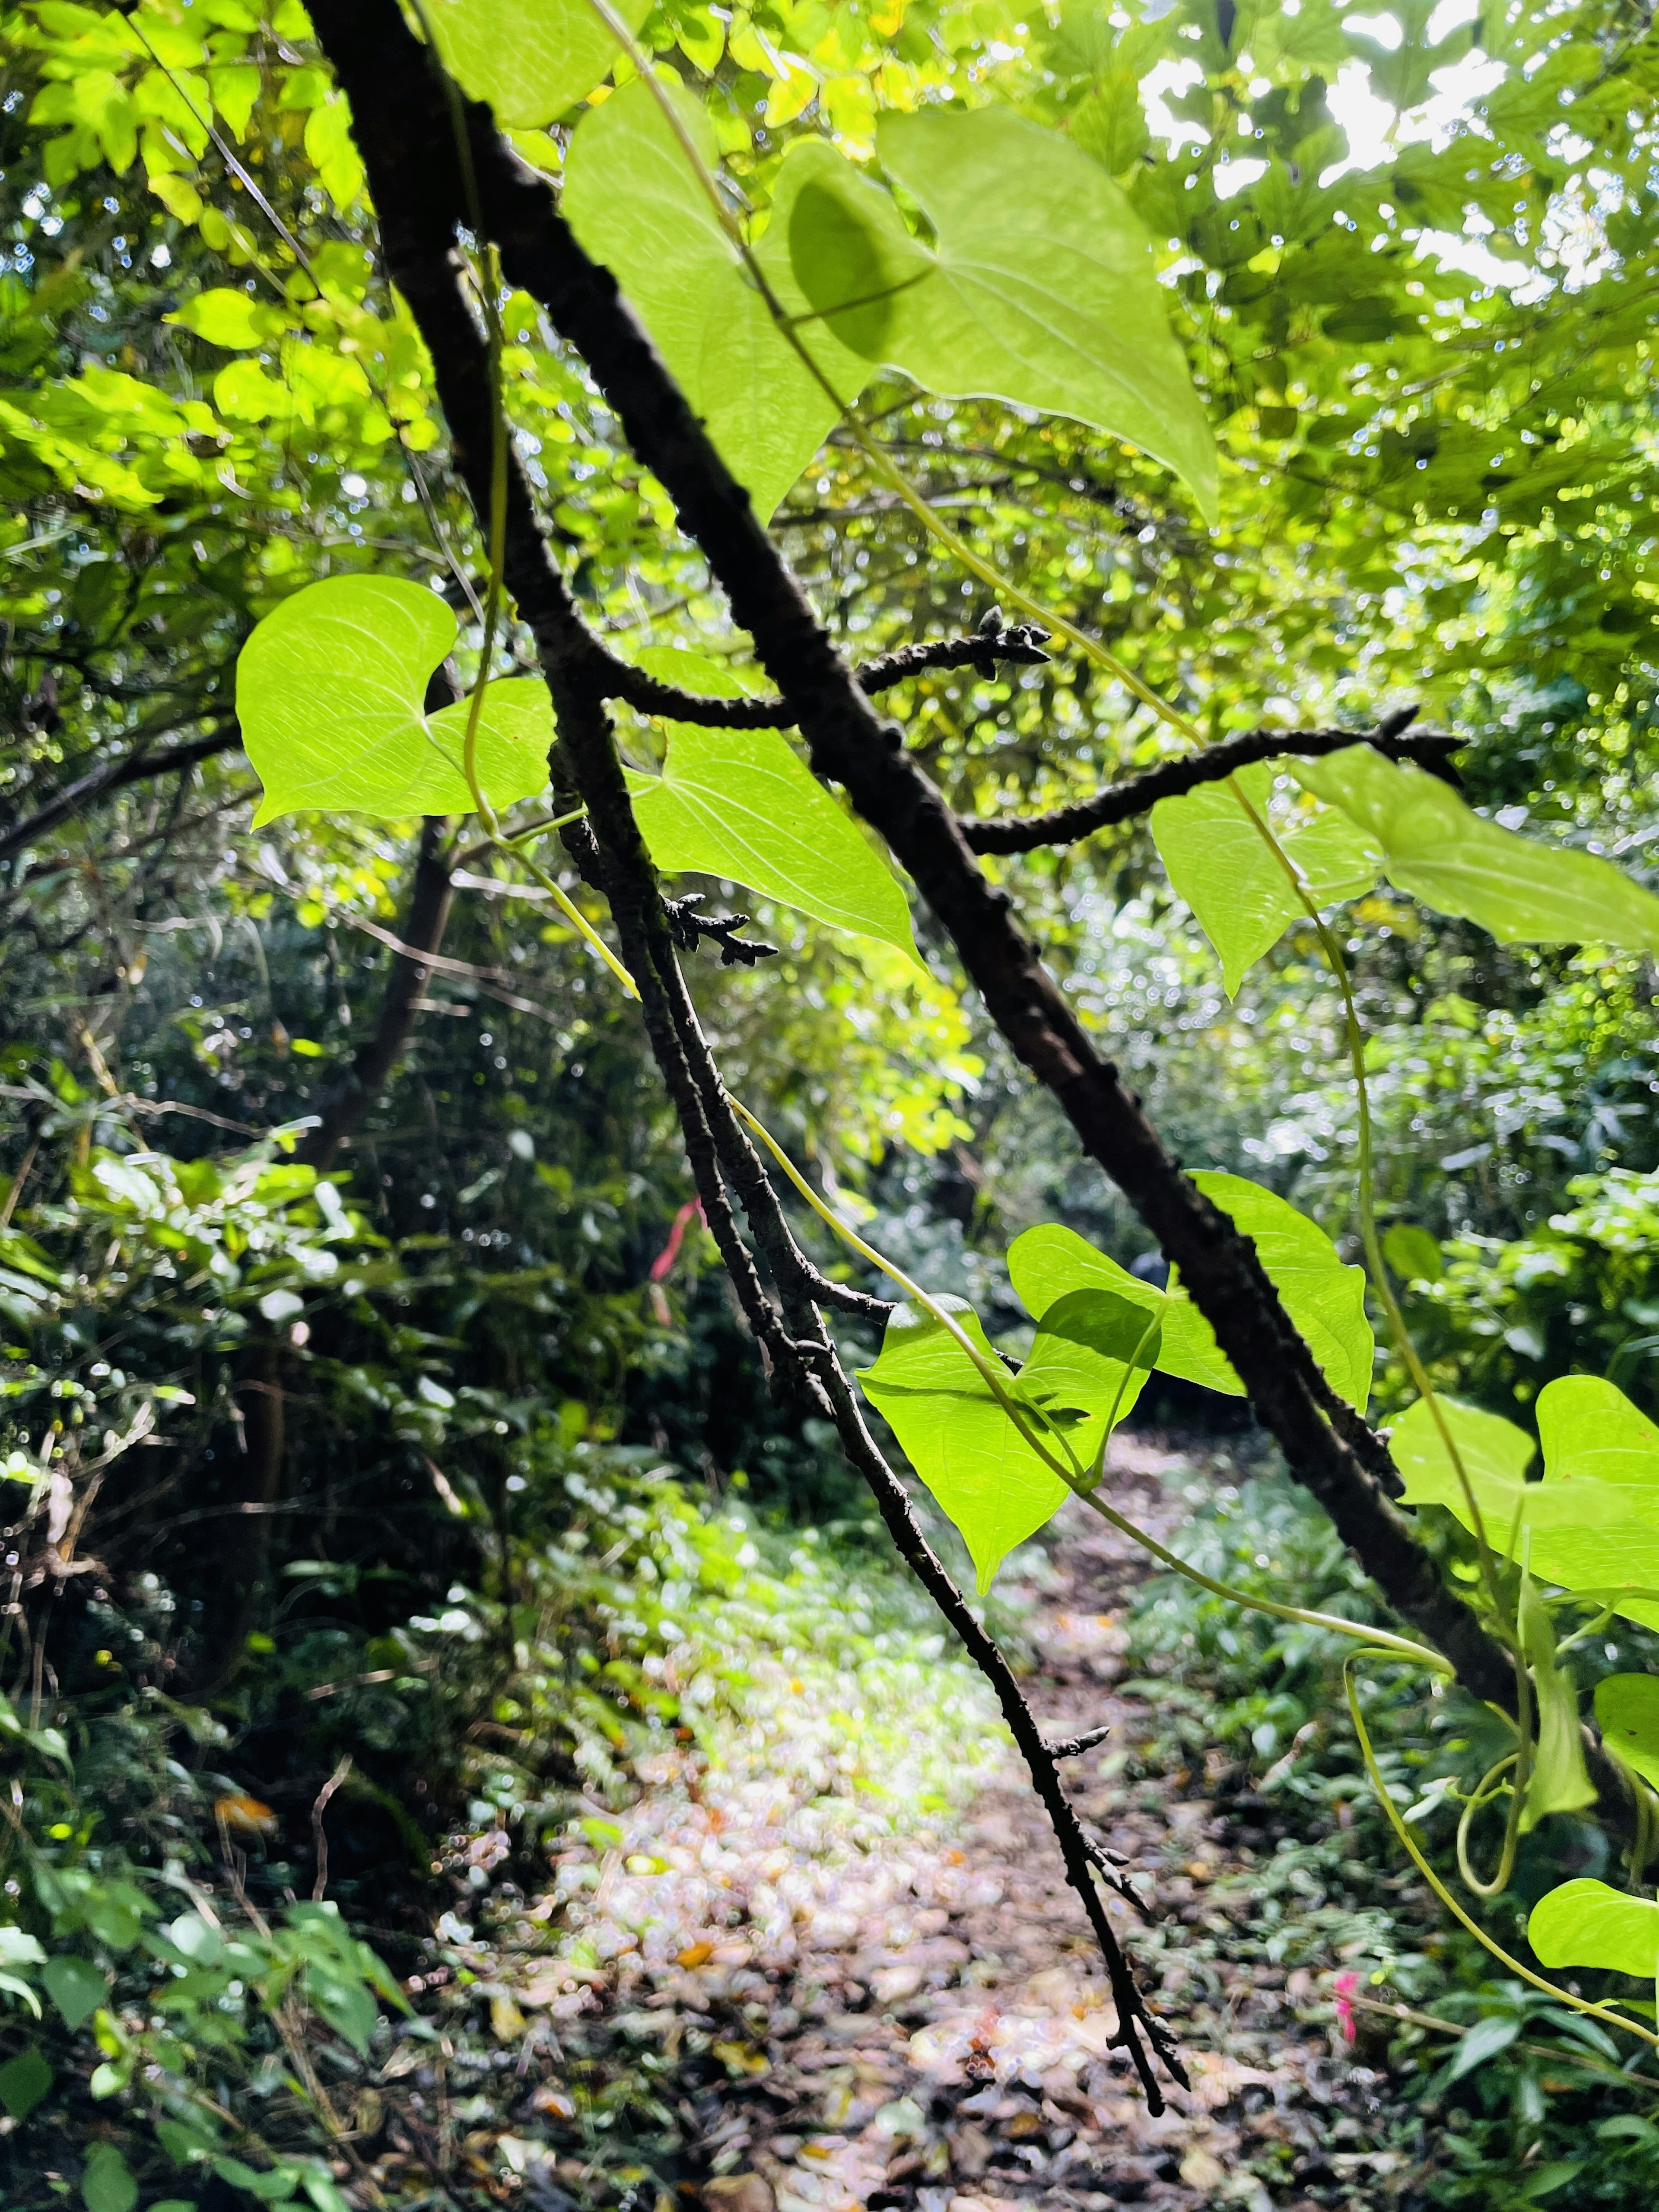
386,76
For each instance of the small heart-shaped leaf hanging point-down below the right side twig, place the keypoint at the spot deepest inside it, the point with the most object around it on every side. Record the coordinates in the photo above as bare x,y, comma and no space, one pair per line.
1235,884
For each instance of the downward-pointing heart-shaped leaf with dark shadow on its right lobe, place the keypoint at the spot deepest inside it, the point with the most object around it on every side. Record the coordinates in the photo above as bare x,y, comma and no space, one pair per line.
1092,1353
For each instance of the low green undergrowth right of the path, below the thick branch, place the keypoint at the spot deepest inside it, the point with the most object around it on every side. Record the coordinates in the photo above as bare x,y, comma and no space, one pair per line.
1490,2094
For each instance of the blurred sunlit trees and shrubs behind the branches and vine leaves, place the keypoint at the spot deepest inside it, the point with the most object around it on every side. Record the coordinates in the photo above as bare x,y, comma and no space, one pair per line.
366,1457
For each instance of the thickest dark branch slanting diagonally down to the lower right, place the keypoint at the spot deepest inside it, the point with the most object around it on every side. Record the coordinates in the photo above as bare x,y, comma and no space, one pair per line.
419,194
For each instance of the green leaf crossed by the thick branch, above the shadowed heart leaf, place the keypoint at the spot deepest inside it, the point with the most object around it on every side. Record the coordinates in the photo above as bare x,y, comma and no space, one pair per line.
1322,1295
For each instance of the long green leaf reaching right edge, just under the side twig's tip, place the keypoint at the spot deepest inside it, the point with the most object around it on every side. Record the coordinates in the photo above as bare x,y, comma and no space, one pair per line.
1454,862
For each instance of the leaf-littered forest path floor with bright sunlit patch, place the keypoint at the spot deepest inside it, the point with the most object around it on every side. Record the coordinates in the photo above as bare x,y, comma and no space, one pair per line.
775,2005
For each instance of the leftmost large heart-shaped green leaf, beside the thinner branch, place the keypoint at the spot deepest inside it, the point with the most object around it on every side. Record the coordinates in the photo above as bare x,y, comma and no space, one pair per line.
331,702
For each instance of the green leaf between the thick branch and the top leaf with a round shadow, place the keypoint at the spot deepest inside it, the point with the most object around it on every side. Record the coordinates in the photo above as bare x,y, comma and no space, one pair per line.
636,205
